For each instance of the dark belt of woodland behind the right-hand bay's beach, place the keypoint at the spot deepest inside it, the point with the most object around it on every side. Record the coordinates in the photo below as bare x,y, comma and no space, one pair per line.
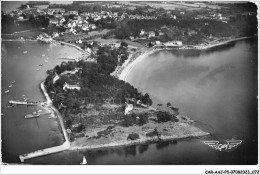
245,25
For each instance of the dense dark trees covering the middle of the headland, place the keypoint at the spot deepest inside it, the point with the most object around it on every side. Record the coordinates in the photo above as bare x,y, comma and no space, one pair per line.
97,86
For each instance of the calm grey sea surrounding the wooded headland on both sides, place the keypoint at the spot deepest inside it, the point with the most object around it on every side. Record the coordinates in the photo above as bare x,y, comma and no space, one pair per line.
216,88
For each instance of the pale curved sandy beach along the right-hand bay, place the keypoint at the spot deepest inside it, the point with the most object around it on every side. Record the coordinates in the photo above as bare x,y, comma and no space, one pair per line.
123,71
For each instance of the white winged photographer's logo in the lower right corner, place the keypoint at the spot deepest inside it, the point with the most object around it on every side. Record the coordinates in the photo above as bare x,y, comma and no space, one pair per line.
225,145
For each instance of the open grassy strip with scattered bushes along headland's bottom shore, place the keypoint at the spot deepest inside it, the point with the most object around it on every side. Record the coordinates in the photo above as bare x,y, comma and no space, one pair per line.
169,131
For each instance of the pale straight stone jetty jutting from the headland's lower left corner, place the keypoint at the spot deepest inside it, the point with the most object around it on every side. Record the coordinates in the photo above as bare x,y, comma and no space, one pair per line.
44,152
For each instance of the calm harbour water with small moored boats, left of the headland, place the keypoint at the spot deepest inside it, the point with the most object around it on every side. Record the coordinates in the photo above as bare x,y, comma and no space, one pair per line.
20,135
